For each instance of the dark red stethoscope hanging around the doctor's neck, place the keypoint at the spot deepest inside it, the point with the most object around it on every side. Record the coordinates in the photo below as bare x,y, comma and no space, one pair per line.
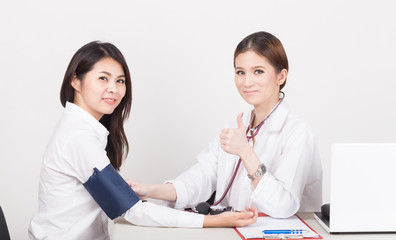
253,132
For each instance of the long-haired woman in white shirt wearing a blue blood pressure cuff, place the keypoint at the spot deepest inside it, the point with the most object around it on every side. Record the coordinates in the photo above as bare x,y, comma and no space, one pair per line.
80,187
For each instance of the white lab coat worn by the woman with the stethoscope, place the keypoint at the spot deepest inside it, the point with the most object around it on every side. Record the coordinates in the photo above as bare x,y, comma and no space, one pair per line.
293,181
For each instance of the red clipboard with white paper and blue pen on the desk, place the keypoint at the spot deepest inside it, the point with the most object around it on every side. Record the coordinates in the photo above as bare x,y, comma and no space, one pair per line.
295,219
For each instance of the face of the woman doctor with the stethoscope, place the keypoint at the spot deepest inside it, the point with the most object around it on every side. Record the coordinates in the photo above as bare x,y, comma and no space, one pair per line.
257,80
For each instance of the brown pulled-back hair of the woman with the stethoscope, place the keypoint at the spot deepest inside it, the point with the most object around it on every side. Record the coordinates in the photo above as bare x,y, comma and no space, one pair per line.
266,45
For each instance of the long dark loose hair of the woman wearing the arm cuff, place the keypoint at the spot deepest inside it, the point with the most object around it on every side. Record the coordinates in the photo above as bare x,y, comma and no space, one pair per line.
82,62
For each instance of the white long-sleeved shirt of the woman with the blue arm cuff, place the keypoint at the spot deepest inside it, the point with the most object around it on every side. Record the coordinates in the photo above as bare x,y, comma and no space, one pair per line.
66,209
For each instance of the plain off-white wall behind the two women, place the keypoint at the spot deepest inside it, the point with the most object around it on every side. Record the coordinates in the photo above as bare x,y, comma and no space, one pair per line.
180,53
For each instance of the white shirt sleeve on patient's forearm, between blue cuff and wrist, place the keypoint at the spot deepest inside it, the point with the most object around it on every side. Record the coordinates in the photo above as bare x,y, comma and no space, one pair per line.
153,215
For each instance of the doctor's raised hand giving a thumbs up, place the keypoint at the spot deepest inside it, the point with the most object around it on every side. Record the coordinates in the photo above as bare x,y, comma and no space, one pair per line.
233,140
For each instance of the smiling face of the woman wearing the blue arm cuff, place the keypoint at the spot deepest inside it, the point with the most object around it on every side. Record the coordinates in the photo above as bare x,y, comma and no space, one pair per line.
101,89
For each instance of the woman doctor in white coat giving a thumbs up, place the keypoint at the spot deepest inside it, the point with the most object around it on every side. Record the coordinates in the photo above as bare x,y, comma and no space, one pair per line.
267,158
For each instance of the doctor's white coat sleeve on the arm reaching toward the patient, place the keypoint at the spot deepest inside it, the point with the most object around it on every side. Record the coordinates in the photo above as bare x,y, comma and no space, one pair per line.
199,182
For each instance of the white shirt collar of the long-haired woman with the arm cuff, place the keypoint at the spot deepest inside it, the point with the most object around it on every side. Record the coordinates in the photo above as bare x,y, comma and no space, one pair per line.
100,130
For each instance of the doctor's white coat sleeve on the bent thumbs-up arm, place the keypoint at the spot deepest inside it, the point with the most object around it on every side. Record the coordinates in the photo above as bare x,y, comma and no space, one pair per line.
279,191
